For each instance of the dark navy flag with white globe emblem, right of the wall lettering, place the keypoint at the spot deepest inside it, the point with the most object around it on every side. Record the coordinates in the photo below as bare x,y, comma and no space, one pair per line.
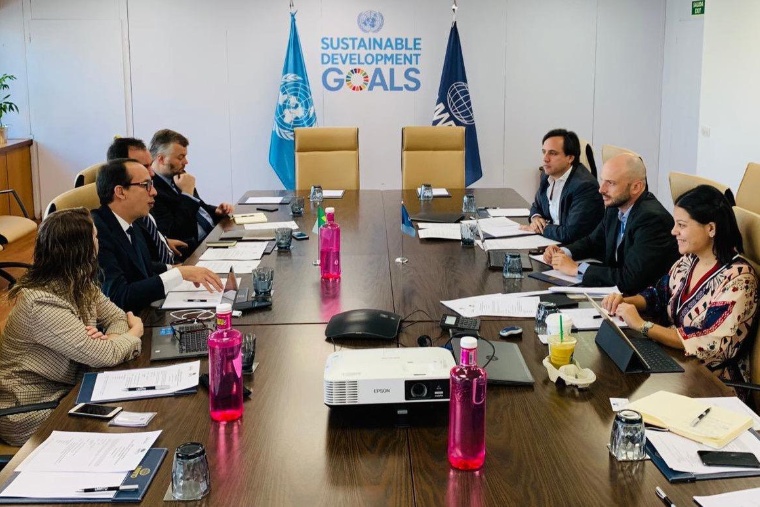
454,107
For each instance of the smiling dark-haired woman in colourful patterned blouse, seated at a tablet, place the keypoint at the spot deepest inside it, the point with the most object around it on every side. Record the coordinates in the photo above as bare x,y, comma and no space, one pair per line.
706,304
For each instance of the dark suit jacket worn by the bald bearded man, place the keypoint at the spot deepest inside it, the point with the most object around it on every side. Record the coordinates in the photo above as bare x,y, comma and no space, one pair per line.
647,251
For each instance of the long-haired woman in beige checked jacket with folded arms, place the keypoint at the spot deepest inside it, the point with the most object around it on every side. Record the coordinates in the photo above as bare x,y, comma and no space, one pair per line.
60,323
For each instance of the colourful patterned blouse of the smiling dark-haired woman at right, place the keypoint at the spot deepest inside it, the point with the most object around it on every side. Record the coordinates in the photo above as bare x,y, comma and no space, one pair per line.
715,318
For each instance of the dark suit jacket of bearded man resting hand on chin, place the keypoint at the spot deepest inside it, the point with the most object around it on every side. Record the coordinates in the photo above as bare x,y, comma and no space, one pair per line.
175,214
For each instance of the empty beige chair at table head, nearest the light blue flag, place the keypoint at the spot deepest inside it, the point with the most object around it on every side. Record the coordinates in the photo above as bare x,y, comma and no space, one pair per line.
327,156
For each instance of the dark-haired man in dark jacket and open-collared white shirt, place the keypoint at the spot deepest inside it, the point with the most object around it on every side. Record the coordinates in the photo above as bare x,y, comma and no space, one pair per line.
567,205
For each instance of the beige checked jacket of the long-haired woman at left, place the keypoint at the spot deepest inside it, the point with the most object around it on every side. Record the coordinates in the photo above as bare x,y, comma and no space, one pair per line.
45,350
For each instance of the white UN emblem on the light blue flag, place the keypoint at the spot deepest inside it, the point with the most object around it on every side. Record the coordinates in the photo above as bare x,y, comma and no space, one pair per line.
295,107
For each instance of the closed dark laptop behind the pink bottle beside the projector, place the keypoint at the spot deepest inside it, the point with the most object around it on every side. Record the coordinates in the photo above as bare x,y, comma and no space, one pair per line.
506,367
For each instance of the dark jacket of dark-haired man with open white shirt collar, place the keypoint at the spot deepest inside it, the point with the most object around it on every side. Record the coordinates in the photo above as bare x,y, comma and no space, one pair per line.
580,206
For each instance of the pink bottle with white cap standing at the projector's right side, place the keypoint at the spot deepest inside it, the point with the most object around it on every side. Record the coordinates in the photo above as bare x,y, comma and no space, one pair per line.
467,410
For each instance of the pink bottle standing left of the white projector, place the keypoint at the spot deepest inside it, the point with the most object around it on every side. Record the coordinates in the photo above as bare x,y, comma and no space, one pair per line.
225,371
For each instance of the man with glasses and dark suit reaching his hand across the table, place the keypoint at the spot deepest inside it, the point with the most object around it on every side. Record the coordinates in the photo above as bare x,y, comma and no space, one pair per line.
130,278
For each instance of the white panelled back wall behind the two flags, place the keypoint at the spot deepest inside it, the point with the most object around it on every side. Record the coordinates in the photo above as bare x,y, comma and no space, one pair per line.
211,71
